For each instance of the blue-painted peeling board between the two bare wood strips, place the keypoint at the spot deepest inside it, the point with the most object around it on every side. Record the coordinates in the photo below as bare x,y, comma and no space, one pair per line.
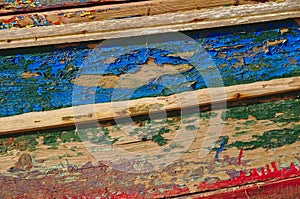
243,54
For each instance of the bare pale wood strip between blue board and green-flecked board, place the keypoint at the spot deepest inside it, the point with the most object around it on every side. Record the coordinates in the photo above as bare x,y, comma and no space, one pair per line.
109,111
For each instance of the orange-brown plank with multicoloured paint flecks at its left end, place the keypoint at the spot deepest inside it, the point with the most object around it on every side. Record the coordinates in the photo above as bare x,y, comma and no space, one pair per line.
98,13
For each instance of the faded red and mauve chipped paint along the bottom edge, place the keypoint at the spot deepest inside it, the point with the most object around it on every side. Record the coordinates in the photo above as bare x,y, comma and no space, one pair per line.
90,185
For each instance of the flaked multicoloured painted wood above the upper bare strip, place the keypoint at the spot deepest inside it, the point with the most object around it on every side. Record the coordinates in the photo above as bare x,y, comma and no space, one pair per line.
107,12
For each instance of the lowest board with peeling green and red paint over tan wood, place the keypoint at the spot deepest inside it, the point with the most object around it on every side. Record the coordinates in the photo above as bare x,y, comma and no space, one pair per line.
258,144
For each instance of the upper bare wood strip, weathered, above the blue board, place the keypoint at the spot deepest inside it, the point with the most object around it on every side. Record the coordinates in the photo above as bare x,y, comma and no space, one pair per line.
170,22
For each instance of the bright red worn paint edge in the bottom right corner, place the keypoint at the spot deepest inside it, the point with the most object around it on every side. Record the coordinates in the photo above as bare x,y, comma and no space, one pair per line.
254,182
